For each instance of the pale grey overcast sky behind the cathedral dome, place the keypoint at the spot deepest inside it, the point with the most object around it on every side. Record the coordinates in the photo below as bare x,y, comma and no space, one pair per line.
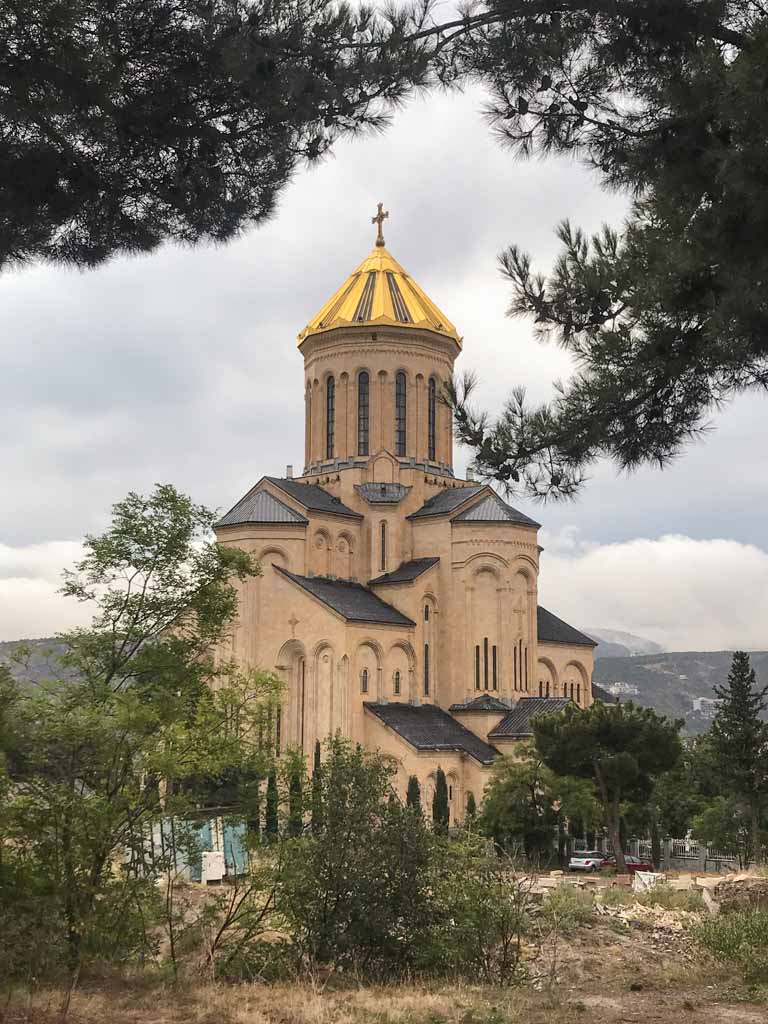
183,367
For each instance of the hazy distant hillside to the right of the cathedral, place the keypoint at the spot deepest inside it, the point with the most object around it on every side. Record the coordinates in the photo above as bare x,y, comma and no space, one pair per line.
672,681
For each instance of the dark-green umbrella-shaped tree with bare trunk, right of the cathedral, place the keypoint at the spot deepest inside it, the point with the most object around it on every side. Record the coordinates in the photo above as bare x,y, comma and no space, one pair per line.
622,749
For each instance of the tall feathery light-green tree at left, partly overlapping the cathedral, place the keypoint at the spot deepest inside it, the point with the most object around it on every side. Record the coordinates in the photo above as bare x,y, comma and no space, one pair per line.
143,704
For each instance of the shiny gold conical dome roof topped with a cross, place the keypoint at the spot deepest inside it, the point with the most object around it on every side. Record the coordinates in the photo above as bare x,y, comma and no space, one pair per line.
380,293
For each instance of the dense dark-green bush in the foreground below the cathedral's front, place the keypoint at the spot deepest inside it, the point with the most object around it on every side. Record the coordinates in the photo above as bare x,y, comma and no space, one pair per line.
357,893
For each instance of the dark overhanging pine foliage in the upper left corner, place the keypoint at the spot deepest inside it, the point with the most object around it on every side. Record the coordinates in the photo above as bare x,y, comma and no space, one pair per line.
126,123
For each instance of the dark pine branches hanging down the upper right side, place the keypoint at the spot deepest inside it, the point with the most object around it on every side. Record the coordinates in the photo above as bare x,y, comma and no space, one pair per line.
667,318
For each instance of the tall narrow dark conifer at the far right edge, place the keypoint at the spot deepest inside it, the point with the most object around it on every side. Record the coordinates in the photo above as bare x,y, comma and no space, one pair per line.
740,744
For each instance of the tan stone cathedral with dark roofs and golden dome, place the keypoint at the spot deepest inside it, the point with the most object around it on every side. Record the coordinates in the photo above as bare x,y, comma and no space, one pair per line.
398,603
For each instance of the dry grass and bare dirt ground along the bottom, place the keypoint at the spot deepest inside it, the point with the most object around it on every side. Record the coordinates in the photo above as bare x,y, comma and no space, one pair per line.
629,965
